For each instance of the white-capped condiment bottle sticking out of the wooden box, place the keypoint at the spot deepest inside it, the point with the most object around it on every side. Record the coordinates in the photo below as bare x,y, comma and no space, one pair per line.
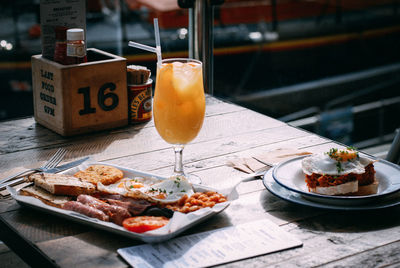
76,50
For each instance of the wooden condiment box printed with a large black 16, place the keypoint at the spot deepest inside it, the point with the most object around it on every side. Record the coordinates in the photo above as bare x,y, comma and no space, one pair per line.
80,98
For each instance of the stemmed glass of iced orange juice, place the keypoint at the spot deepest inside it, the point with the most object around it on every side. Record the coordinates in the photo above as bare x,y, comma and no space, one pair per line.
179,105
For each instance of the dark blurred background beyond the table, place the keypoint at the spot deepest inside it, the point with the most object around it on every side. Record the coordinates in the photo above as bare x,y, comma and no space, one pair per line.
328,66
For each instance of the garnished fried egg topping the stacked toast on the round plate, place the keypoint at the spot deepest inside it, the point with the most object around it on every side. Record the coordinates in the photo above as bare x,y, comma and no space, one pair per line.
335,162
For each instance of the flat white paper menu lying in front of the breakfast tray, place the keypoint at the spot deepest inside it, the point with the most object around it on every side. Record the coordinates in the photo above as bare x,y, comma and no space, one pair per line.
212,247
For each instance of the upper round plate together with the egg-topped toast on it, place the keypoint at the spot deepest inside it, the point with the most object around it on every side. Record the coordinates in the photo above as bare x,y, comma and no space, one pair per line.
339,176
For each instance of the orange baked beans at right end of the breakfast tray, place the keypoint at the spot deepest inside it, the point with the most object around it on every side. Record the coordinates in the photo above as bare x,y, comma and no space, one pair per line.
197,201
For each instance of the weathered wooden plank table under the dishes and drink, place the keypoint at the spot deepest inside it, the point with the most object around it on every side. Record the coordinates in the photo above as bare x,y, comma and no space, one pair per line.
330,238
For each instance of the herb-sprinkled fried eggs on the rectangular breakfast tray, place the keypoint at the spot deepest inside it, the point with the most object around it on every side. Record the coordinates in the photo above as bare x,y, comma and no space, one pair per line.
151,189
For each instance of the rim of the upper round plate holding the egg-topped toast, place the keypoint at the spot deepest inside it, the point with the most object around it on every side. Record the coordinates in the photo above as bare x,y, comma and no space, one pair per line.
333,197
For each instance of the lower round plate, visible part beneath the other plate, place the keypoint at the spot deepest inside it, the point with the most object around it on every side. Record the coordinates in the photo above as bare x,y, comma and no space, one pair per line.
294,197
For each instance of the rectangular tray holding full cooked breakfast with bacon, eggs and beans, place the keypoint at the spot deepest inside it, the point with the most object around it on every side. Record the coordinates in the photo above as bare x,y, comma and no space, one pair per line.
125,201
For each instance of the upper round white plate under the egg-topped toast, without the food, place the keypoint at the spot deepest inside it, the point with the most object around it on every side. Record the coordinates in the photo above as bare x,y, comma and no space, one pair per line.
290,175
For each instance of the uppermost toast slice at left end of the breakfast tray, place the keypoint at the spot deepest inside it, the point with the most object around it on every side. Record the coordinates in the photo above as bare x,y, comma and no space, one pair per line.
60,184
